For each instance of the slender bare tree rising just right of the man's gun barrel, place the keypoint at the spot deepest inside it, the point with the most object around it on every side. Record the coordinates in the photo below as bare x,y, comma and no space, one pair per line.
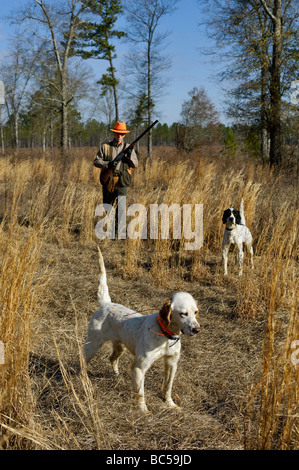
143,18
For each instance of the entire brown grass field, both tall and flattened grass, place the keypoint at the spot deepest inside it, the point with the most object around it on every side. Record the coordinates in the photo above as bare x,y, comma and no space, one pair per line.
236,382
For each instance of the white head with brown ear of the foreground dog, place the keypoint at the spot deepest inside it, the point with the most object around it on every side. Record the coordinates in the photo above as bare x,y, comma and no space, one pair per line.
180,314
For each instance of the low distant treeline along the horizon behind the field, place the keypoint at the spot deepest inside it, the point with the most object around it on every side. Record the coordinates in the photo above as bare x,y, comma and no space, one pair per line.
187,136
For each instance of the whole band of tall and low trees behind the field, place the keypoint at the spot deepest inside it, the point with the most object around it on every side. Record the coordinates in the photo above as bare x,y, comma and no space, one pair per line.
47,80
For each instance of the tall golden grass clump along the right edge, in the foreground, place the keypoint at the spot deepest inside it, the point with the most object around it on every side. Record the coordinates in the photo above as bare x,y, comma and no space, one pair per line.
273,402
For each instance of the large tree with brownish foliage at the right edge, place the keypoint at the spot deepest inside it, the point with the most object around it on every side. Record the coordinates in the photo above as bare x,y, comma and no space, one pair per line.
258,38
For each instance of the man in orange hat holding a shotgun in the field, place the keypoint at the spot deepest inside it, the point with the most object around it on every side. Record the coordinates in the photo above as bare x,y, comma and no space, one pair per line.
120,176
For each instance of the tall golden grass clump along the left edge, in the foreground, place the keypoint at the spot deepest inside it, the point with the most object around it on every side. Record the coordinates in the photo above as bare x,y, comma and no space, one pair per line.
20,293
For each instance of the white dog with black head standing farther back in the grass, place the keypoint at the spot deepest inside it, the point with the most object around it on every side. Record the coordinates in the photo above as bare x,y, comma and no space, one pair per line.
236,233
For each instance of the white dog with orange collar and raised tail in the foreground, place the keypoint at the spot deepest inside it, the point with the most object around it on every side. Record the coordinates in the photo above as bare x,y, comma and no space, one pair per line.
147,337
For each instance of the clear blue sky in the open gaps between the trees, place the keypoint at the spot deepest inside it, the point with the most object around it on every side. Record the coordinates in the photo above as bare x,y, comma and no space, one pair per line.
185,44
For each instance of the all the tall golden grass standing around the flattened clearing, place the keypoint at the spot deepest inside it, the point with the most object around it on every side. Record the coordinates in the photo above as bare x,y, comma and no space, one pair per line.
43,204
